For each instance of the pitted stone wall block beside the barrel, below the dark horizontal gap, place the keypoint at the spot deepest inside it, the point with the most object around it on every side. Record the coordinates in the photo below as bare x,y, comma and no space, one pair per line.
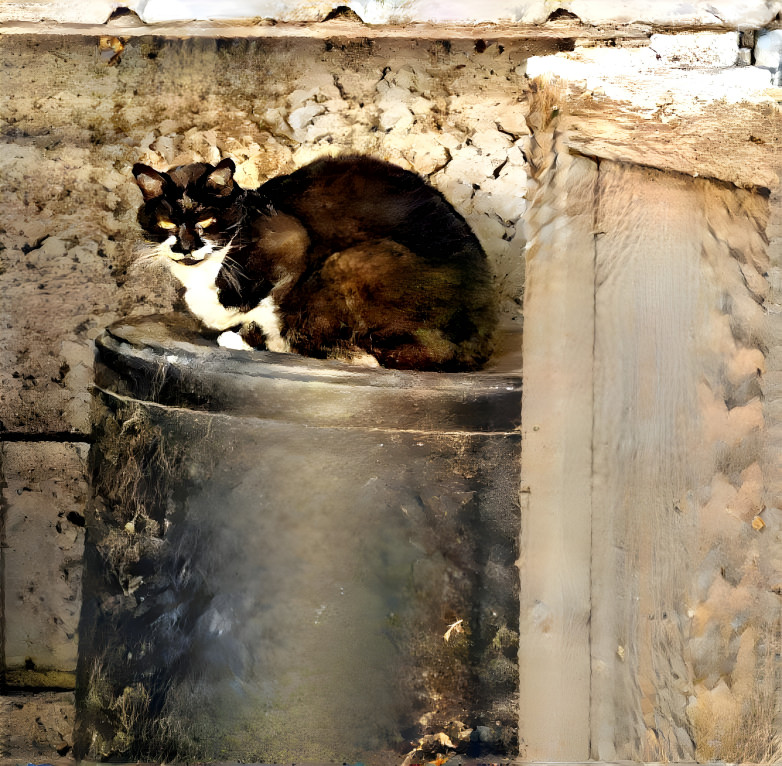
44,496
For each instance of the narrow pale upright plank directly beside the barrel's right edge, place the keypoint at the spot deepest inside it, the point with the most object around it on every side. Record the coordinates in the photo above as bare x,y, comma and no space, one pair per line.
556,464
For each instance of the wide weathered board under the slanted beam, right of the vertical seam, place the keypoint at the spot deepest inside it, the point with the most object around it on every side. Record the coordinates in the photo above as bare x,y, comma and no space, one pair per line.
684,620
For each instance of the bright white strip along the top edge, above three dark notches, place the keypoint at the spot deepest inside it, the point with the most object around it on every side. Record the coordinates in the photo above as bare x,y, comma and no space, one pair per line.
749,13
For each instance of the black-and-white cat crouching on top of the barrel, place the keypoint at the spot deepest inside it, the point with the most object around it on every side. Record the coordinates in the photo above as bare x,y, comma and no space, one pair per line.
349,258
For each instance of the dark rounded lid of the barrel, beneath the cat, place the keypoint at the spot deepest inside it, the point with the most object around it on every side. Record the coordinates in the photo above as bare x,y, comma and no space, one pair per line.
164,360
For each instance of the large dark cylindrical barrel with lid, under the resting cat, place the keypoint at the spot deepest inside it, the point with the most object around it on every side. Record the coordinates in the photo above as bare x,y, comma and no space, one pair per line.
296,560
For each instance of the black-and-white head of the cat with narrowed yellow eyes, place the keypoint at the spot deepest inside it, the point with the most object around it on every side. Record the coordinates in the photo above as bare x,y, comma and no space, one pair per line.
191,211
